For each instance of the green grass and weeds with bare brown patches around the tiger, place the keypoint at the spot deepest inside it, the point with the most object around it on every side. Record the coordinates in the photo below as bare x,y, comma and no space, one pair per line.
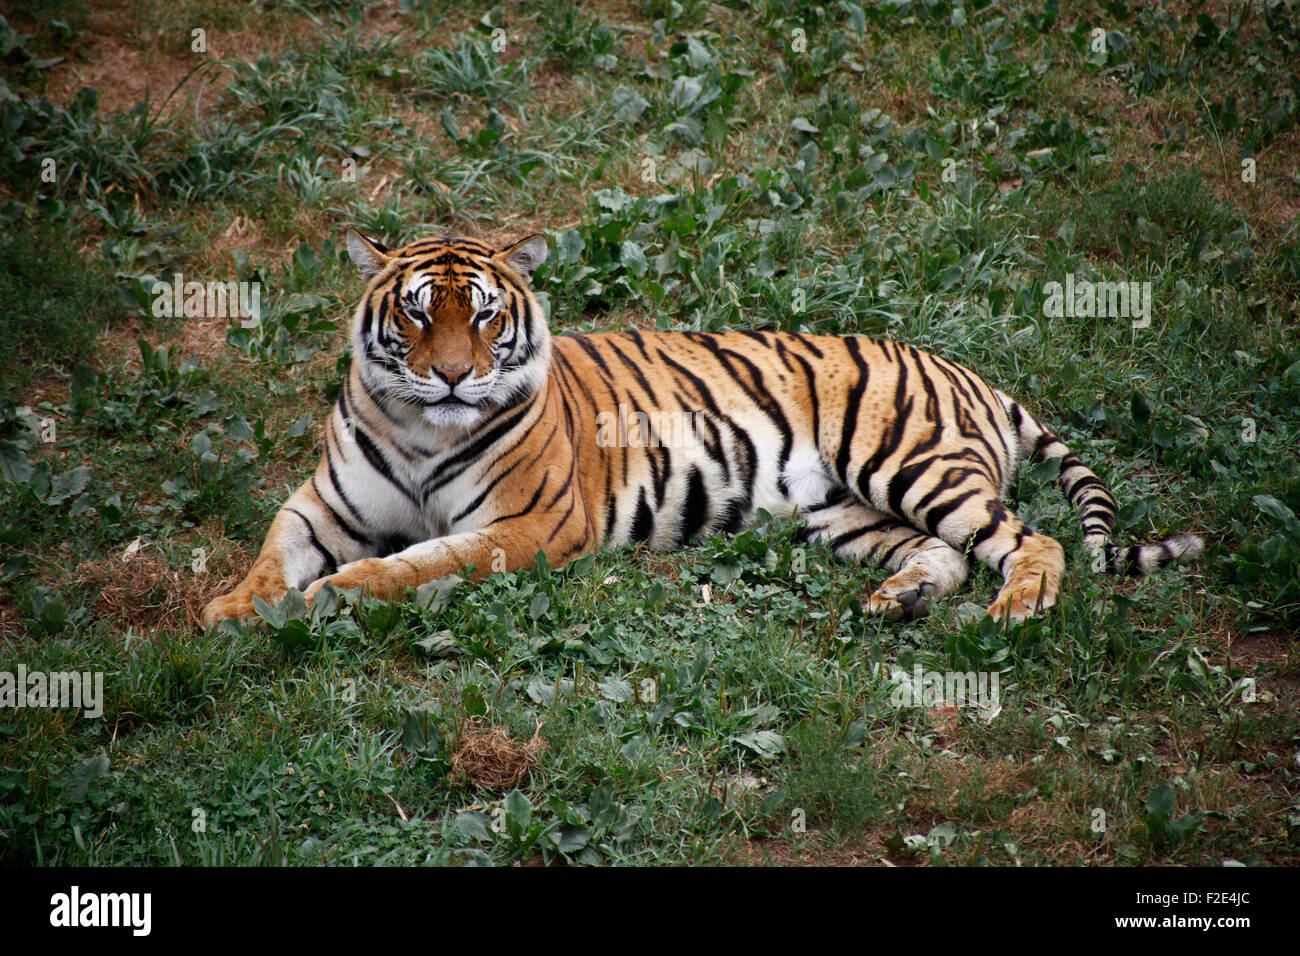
913,171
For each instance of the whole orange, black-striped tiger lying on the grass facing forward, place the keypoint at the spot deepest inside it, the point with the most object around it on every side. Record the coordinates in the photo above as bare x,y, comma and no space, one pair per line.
467,439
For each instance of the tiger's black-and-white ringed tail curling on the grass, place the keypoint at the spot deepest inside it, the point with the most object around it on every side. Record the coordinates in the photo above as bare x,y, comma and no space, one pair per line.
1097,507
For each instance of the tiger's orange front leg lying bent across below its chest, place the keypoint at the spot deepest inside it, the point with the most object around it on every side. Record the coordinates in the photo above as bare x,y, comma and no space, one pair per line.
506,546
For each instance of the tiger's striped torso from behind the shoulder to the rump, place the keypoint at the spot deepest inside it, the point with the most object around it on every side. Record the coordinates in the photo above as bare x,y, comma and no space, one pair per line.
694,432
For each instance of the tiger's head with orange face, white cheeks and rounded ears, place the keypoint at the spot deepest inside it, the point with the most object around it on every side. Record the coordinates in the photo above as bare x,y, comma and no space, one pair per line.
450,326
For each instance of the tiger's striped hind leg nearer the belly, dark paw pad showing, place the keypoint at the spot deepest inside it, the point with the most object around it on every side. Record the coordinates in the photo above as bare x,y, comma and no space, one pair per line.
924,566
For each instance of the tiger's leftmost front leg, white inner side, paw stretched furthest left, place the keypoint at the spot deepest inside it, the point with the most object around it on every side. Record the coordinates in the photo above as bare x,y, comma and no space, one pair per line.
306,540
